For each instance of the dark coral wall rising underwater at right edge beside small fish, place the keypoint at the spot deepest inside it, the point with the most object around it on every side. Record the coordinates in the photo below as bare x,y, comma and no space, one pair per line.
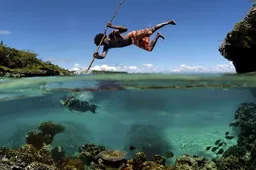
241,156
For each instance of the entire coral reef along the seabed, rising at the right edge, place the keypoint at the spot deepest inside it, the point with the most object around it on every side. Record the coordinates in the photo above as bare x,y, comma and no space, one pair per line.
39,153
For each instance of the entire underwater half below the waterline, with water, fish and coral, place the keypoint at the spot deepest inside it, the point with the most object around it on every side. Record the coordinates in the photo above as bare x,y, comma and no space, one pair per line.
128,122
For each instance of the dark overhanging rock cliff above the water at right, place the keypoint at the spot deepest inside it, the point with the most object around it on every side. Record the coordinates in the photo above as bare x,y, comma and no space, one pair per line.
240,44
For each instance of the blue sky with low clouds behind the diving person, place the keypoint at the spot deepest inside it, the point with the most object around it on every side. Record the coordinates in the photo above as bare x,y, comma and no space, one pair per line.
62,31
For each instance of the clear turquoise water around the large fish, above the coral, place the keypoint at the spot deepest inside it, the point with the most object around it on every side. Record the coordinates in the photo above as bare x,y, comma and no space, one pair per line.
161,112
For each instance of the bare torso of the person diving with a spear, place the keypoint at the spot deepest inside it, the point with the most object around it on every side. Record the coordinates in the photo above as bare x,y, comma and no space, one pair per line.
117,41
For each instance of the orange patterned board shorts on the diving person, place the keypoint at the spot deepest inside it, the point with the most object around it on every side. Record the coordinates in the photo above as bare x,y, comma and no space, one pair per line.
141,38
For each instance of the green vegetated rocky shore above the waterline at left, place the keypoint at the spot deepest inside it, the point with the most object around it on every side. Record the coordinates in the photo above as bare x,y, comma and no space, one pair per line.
24,63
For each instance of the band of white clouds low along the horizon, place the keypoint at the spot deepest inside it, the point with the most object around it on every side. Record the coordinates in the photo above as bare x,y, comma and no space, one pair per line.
150,68
